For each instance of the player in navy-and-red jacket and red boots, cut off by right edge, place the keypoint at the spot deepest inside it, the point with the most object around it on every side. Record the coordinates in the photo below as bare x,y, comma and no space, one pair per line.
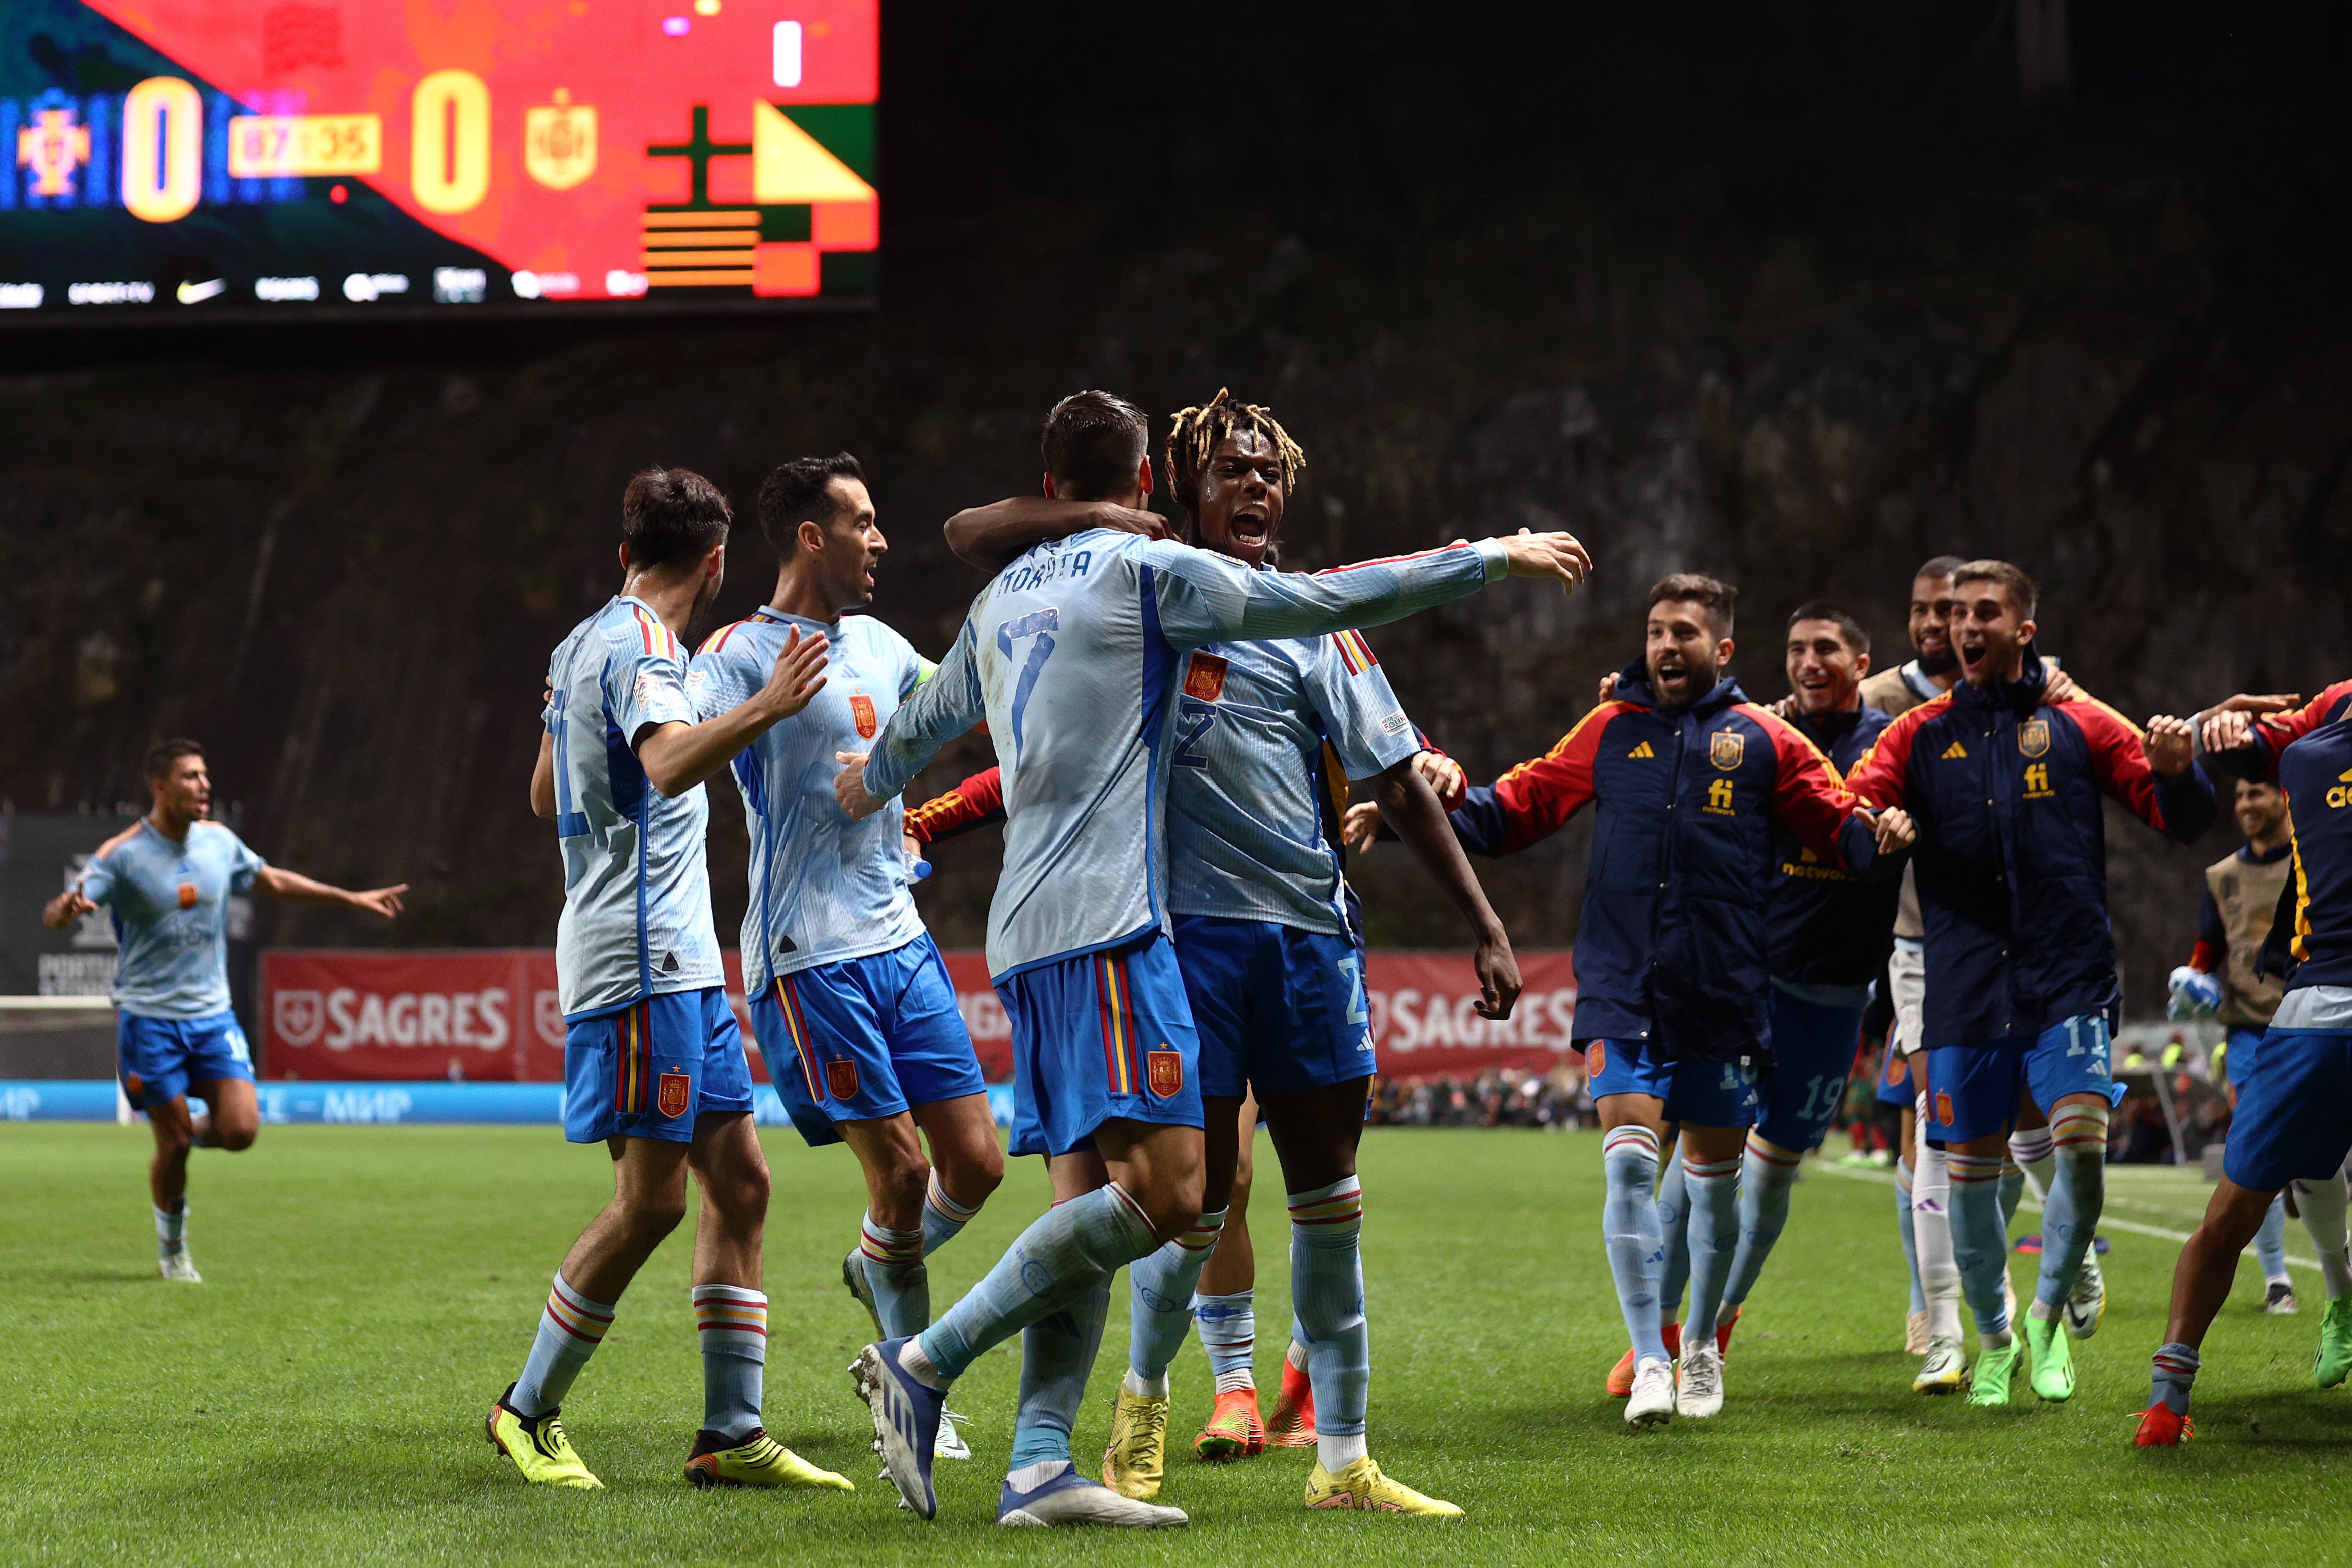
2294,1099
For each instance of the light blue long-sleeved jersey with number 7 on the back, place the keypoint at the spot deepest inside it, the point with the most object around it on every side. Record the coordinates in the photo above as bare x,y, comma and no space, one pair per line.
1071,657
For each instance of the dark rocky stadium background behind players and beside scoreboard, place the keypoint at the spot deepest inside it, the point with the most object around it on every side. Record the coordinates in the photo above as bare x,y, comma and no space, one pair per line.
1796,293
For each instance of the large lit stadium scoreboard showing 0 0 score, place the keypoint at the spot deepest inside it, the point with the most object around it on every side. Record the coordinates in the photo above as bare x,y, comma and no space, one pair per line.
194,159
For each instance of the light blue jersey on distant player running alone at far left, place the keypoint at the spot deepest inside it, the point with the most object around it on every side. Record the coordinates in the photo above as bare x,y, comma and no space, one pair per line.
171,911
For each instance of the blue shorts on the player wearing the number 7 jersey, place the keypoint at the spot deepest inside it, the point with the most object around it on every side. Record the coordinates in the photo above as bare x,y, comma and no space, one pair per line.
1100,1036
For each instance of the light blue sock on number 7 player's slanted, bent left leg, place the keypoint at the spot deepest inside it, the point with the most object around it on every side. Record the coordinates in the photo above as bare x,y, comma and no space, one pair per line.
1064,1254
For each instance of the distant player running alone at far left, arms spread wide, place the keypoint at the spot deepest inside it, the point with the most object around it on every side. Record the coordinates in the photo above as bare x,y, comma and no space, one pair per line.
166,887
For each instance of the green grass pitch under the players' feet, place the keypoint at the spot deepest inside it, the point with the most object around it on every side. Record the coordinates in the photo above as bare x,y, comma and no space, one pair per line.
370,1289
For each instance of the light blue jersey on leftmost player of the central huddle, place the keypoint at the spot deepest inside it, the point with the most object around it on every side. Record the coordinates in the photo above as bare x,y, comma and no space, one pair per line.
636,876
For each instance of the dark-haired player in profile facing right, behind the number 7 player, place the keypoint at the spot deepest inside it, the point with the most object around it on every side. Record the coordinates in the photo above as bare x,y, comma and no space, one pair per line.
848,993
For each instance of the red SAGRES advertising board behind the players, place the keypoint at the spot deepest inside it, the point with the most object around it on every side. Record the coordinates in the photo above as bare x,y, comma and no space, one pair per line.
495,1017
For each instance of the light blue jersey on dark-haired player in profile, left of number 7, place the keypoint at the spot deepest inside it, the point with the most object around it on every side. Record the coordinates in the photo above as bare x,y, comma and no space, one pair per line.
822,887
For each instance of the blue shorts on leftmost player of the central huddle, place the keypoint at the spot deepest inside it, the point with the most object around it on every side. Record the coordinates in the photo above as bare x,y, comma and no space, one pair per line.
648,1071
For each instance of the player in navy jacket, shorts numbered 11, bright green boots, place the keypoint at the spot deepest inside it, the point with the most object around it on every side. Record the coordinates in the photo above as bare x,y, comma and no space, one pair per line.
2019,953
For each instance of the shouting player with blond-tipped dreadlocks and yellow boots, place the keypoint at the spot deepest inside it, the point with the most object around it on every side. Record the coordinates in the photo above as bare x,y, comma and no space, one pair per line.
1267,944
